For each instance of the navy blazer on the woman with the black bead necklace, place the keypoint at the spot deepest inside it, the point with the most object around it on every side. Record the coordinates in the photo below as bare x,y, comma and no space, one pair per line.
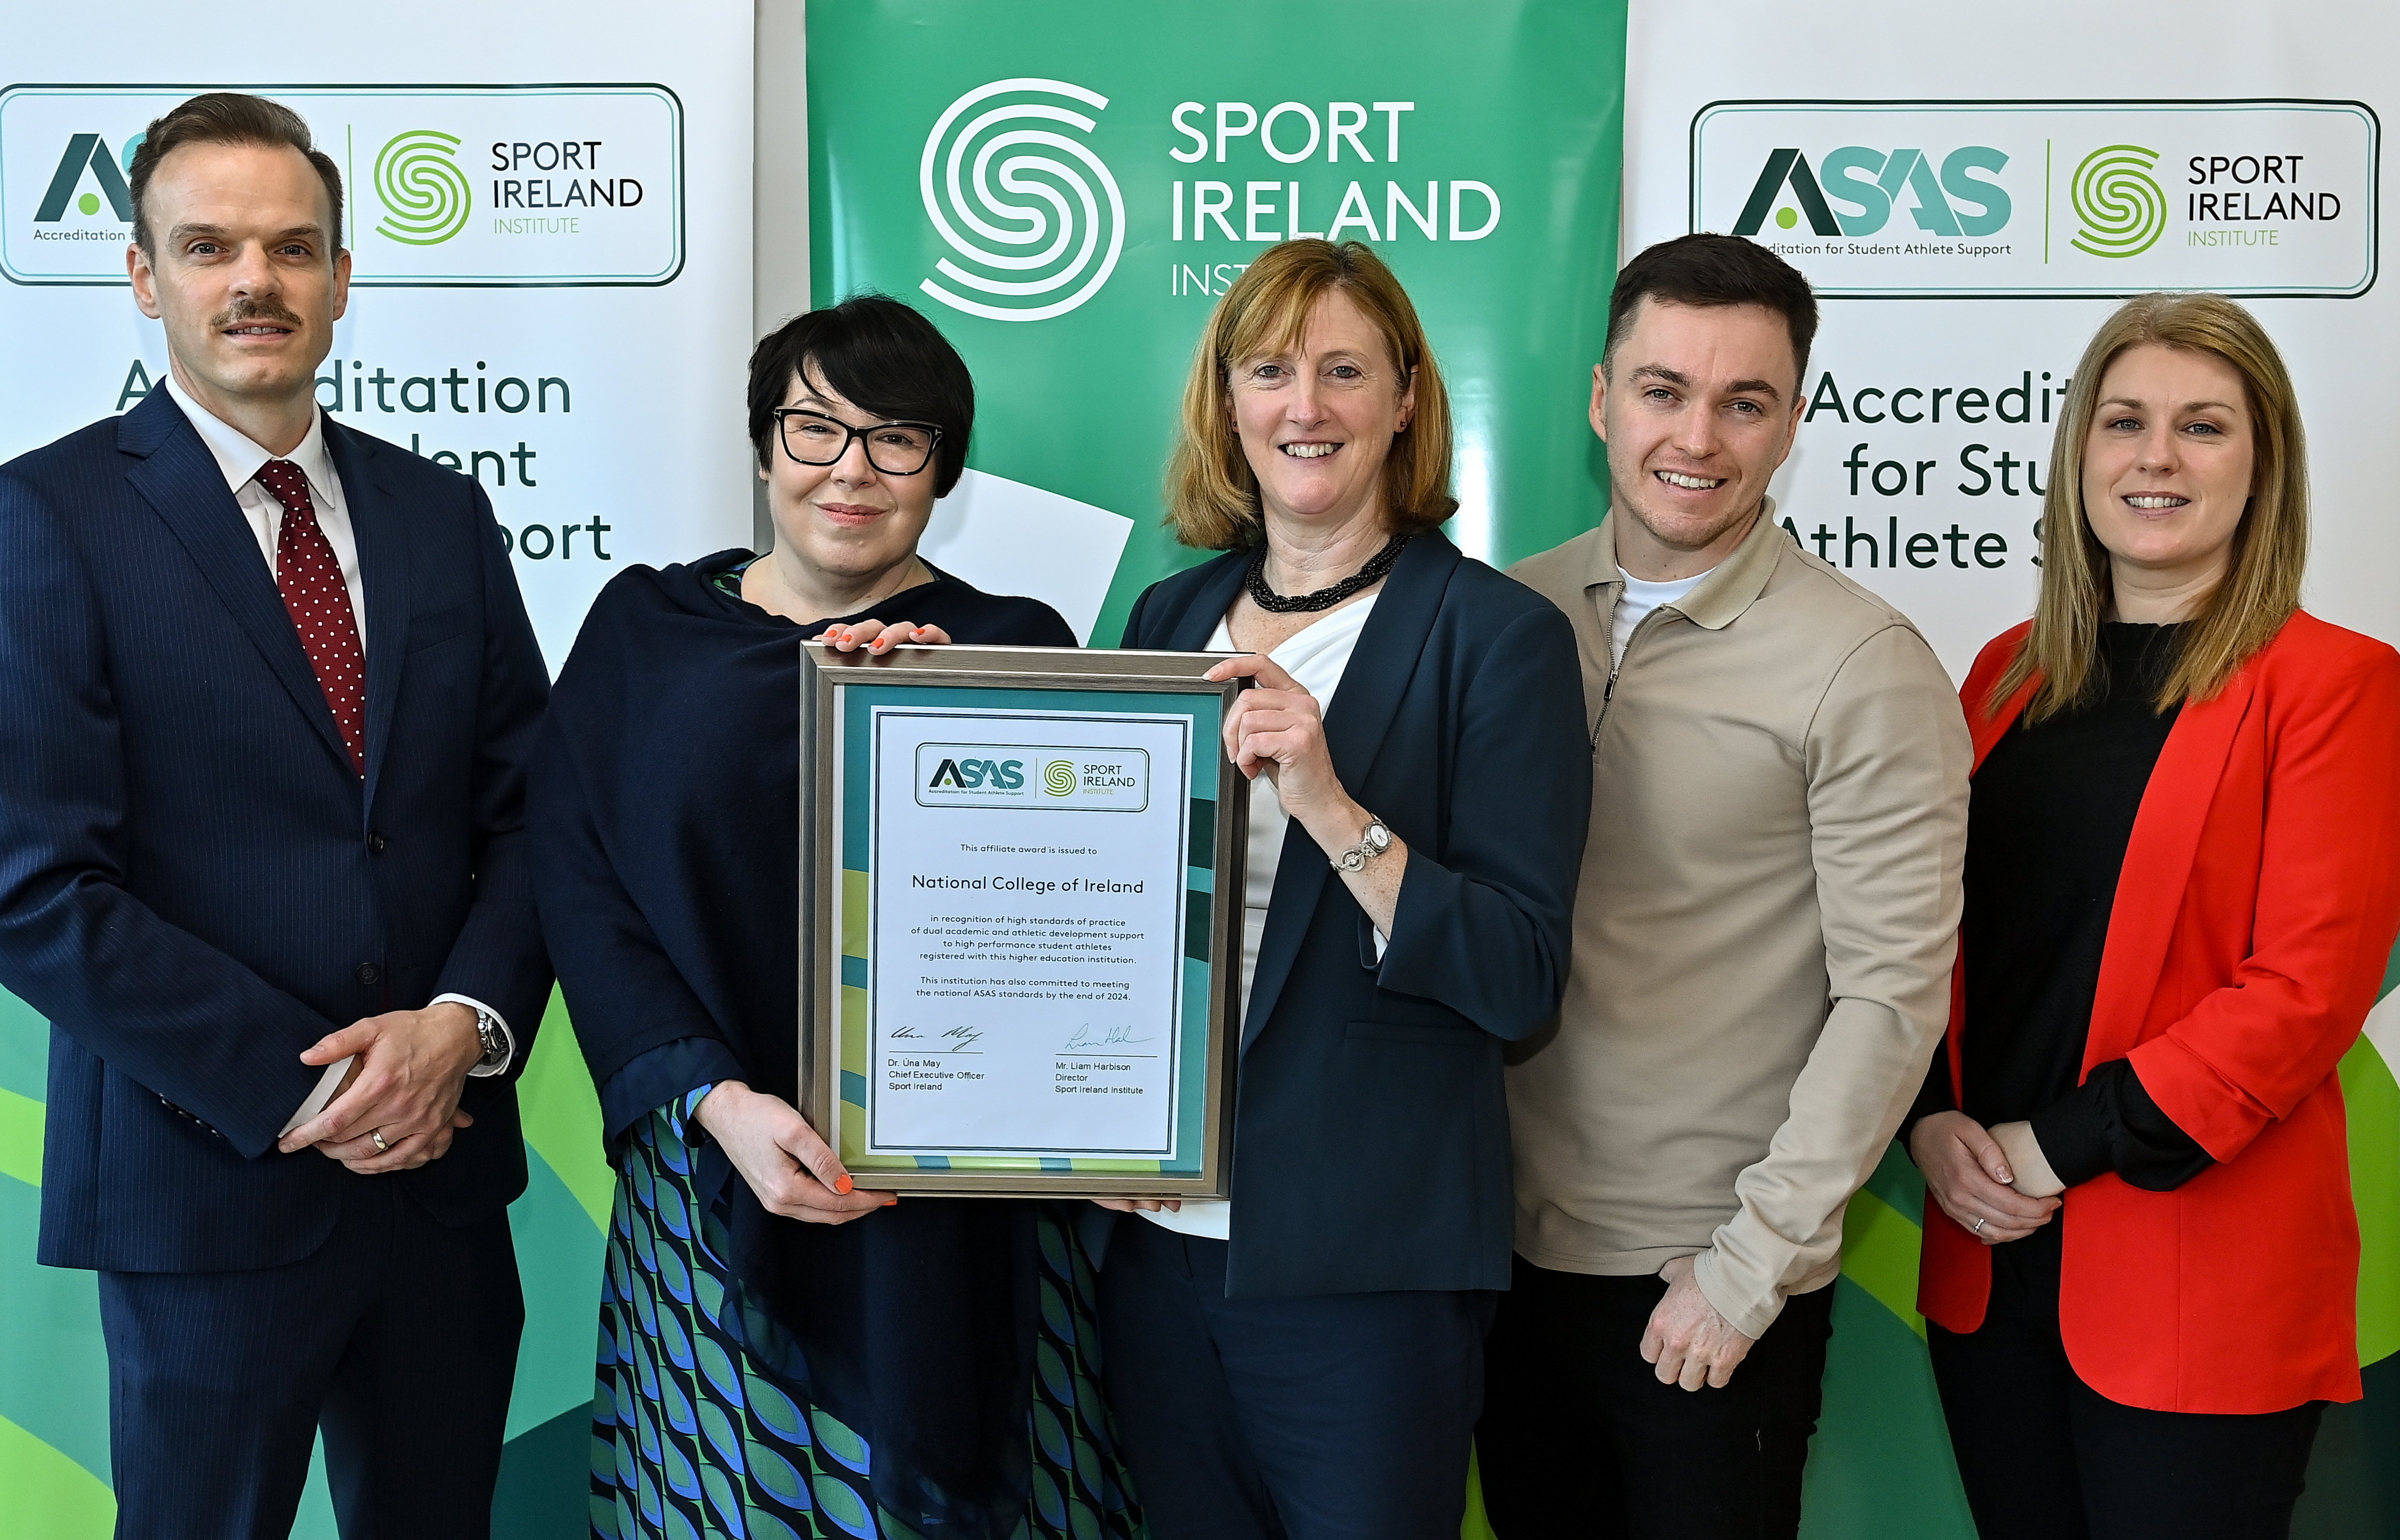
1369,1126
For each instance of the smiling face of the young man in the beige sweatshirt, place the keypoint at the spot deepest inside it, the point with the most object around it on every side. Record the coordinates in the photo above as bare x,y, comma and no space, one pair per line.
1698,407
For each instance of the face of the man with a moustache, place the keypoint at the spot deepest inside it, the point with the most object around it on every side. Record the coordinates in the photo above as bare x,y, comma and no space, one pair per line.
248,275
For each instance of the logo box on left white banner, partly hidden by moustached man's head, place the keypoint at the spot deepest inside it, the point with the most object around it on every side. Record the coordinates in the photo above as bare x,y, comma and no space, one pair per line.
445,186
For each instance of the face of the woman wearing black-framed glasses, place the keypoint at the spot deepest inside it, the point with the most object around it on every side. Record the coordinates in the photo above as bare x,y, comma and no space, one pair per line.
848,522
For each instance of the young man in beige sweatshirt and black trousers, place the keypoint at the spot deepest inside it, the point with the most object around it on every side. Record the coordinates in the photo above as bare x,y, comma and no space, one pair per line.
1763,944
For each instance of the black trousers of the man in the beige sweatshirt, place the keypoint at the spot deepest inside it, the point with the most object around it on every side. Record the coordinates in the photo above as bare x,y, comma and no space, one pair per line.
1583,1443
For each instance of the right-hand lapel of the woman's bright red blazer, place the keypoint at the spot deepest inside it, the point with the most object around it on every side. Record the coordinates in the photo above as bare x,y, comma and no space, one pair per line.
2159,865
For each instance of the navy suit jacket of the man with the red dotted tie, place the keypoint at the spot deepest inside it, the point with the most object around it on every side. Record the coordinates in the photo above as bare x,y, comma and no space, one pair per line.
193,882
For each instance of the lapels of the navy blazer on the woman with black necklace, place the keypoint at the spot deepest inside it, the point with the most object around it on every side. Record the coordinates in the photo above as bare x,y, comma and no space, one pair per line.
1355,728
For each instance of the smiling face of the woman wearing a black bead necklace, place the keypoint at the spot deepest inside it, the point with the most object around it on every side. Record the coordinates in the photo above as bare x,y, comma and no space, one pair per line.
1316,421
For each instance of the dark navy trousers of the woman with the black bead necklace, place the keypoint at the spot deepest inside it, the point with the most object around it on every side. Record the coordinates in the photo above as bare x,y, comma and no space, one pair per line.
1290,1419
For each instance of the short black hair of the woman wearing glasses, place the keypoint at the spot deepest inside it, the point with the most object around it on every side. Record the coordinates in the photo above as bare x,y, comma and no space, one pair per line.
880,356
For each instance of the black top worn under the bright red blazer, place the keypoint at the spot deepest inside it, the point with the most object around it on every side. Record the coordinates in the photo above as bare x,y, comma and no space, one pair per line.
2048,826
